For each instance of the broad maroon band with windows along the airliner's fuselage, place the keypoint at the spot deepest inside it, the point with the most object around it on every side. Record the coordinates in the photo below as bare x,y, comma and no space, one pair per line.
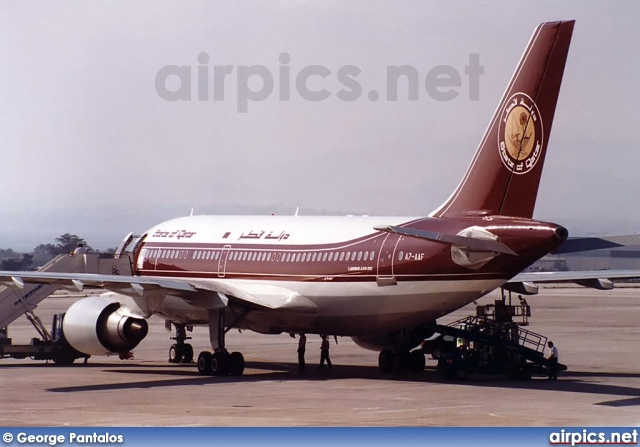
367,258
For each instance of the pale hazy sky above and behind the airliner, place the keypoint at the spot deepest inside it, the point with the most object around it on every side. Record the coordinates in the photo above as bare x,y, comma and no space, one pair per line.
89,146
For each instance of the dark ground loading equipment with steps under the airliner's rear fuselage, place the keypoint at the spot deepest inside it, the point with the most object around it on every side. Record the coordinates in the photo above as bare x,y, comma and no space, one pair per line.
491,342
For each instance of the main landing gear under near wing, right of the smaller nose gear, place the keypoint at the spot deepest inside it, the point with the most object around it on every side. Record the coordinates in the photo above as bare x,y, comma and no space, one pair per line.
220,362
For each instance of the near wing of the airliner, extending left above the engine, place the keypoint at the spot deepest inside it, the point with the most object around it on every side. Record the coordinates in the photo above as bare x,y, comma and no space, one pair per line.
252,295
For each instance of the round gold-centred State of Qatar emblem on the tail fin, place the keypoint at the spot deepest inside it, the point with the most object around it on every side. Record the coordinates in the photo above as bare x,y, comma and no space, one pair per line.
520,134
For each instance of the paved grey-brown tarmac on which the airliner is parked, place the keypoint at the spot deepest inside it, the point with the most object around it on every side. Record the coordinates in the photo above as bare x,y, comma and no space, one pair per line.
596,332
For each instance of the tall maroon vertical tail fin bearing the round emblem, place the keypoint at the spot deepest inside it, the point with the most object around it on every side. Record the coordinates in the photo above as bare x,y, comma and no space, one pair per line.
504,176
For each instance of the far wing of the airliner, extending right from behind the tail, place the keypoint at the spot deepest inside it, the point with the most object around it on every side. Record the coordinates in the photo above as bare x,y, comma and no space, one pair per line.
525,283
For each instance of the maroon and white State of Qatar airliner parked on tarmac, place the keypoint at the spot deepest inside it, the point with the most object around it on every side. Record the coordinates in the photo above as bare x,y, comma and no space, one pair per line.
383,281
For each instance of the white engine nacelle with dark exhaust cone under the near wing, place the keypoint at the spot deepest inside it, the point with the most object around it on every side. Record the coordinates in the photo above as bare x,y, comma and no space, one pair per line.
100,325
